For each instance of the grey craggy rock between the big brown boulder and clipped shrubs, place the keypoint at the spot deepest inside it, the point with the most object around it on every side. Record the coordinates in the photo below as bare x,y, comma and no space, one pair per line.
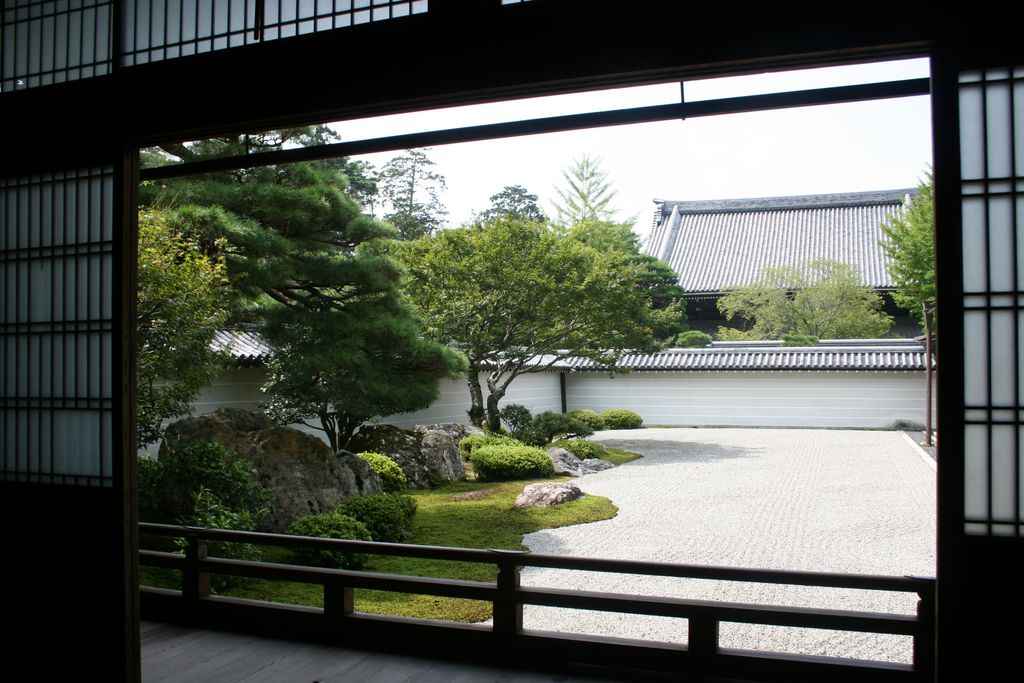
428,457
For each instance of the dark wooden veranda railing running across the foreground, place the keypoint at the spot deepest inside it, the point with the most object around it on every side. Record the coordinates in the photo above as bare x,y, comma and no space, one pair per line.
506,639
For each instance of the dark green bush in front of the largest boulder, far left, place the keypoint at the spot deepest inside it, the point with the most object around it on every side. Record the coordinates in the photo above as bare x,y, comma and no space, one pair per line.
168,487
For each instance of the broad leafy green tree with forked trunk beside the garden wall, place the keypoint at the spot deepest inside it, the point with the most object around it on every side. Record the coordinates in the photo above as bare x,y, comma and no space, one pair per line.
517,297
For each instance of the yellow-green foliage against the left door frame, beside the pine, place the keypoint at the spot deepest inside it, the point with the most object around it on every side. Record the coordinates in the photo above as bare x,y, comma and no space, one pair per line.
179,312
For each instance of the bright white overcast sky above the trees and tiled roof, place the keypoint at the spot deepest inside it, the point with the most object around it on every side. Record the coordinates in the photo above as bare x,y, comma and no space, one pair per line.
842,148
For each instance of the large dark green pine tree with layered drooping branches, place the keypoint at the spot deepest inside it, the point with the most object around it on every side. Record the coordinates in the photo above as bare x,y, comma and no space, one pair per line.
317,275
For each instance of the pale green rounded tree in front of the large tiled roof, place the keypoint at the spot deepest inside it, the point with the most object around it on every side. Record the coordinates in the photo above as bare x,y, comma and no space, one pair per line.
824,300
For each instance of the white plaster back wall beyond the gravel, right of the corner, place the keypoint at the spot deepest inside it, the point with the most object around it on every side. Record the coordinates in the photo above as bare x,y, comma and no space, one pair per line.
858,400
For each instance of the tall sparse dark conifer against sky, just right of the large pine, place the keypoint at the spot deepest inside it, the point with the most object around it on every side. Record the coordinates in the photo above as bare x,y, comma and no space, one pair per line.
412,192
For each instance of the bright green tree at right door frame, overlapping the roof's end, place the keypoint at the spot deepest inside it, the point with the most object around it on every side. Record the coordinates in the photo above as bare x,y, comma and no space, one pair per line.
910,242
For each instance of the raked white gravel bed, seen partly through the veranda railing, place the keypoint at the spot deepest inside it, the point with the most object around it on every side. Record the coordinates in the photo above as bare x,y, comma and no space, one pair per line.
861,502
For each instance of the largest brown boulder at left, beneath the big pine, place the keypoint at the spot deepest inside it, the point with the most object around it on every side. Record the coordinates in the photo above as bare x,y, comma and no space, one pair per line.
305,476
